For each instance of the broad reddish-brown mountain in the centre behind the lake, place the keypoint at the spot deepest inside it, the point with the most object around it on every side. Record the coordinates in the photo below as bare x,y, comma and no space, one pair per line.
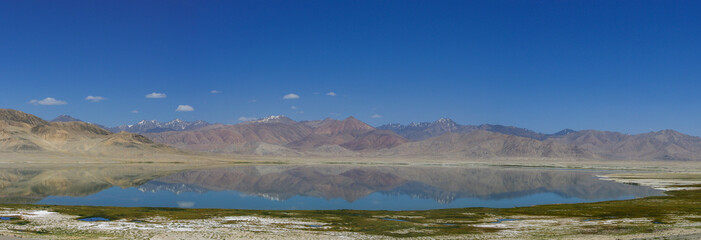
281,135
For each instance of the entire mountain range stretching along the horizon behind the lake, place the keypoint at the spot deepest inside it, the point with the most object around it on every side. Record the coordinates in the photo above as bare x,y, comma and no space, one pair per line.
282,136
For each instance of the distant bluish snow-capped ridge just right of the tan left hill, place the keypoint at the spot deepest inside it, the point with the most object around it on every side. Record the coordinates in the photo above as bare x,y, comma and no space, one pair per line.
153,126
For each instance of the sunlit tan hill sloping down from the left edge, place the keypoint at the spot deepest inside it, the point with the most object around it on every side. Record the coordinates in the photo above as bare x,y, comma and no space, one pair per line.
21,132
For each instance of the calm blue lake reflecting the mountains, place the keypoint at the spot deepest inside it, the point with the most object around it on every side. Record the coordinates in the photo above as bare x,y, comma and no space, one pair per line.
347,187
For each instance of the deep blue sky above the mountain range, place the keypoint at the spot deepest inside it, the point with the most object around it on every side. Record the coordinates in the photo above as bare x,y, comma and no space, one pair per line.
629,66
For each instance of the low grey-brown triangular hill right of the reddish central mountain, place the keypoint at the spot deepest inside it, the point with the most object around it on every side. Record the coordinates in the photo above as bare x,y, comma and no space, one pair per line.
484,144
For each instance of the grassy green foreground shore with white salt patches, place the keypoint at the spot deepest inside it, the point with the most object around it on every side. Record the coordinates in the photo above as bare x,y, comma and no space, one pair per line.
676,214
